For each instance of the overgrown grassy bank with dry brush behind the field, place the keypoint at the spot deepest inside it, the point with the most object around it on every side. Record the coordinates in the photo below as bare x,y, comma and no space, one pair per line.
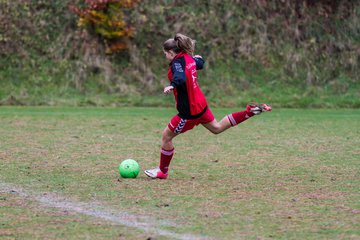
296,53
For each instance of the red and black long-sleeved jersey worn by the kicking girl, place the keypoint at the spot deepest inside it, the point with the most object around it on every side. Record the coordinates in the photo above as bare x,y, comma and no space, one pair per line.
190,101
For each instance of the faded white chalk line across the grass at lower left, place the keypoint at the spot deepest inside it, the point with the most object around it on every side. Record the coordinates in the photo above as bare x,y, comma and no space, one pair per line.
96,210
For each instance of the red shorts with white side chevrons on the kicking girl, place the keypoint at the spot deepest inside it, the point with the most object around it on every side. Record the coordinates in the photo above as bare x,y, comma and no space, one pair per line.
179,125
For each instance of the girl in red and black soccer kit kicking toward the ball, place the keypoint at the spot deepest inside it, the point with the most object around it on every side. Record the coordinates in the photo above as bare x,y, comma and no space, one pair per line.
190,101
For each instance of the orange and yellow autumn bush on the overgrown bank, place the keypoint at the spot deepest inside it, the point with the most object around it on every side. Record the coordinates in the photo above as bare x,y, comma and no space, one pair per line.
107,19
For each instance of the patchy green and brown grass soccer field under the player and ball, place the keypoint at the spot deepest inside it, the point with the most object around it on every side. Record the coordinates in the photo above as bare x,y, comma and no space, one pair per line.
288,174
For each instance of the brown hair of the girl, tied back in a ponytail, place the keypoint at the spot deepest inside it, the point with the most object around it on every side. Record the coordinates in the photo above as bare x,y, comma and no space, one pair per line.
180,43
